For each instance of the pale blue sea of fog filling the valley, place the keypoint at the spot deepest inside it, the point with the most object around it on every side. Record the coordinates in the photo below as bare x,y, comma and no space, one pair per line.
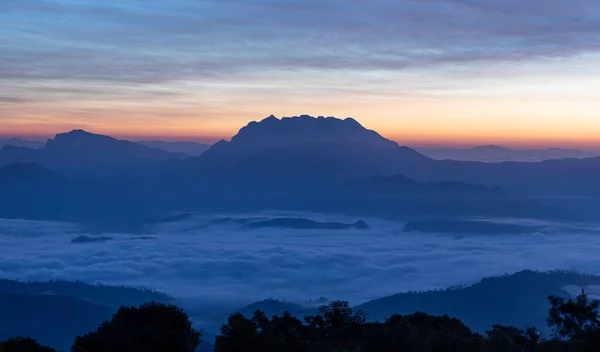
228,264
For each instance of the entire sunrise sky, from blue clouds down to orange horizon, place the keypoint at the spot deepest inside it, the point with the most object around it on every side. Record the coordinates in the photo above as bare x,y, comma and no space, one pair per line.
421,72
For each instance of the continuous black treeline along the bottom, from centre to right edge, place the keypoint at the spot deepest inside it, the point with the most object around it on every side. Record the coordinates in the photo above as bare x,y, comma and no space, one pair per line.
338,328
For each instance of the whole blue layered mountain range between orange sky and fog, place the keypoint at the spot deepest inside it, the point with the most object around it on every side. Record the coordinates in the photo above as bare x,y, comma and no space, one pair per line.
295,163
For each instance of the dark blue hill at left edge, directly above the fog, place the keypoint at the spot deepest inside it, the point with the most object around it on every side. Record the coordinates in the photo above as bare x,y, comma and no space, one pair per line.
31,191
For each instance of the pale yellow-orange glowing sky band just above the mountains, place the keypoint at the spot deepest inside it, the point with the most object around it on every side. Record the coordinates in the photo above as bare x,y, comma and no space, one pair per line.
549,104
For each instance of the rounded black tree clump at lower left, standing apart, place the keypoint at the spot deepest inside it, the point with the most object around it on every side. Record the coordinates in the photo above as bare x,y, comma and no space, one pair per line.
151,327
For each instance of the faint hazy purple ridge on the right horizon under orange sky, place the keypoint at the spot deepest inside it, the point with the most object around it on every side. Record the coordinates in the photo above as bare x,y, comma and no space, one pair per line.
494,153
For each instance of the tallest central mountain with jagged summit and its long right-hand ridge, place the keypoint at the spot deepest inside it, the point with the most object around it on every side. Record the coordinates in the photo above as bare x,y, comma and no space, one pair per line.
307,154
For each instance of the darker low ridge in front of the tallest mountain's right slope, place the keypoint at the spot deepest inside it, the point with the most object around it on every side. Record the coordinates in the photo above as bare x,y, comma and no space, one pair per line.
398,194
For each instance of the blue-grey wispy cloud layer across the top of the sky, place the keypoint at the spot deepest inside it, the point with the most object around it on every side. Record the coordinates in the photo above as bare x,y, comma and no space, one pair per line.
141,42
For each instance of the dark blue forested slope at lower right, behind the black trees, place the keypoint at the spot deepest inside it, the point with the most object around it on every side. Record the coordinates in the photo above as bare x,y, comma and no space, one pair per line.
519,299
